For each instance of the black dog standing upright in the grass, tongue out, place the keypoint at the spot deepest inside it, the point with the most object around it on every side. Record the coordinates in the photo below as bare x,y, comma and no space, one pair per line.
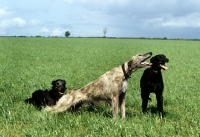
151,81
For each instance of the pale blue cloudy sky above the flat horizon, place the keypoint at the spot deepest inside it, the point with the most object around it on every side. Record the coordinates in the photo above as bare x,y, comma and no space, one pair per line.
89,18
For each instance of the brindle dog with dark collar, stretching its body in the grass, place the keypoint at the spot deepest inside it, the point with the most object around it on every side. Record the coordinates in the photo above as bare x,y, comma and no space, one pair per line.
111,86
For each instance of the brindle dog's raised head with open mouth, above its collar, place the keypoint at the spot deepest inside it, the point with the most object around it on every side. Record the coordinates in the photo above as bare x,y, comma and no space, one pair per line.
138,61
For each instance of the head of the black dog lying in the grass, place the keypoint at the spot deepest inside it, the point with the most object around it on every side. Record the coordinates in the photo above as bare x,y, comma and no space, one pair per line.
59,86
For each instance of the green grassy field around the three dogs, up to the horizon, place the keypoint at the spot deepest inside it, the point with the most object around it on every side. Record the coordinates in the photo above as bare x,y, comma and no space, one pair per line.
28,64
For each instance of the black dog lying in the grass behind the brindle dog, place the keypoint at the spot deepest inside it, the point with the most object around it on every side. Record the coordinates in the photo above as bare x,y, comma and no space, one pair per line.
48,98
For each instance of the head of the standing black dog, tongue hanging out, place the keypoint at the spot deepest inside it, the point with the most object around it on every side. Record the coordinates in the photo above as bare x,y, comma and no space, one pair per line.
158,62
